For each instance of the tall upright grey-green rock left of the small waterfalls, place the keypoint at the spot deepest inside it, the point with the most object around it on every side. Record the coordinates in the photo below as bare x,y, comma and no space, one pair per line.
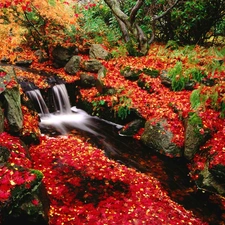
13,109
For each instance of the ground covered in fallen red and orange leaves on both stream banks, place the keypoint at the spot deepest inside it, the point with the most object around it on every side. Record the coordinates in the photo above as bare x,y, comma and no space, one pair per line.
83,185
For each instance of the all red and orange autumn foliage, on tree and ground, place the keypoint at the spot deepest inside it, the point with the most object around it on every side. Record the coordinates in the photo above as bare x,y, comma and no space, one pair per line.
84,186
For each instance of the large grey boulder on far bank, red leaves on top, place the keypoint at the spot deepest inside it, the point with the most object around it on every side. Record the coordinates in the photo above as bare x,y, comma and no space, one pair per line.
157,137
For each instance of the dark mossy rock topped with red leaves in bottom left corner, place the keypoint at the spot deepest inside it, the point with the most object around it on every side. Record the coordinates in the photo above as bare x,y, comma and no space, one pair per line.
26,205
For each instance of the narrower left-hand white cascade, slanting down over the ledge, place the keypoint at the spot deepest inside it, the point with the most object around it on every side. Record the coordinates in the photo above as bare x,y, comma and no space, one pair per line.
36,96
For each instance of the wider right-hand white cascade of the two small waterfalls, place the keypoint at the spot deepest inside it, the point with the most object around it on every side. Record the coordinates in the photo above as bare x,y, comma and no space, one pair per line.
61,99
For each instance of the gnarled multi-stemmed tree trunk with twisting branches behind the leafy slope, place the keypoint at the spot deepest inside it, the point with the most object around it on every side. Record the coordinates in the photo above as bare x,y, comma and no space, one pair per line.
130,22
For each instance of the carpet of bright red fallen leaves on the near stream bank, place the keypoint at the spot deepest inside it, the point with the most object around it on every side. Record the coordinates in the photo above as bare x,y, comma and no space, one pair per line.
79,177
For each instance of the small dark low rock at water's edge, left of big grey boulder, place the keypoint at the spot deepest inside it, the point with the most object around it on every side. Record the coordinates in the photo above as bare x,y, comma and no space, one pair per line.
132,128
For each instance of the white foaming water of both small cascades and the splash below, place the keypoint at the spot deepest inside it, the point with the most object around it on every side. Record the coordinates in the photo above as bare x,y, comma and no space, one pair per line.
66,117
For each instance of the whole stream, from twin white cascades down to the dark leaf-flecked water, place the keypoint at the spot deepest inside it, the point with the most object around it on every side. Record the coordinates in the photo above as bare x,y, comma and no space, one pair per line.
172,173
